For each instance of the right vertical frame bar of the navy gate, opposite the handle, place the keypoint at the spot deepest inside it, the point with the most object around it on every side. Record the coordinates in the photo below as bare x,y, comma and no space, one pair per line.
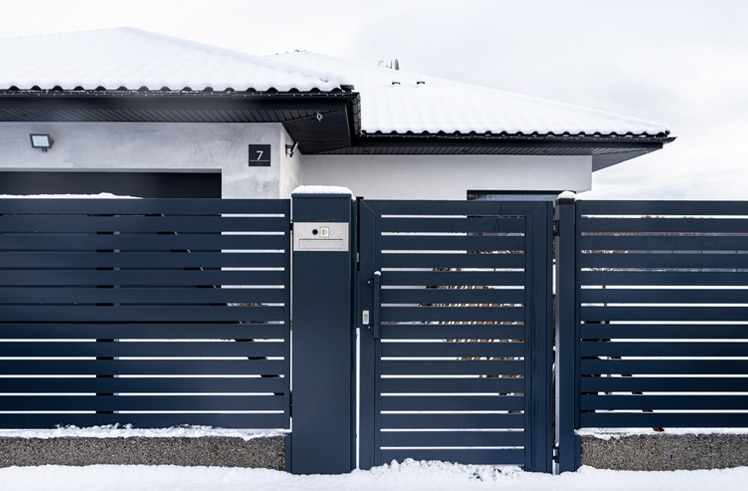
539,343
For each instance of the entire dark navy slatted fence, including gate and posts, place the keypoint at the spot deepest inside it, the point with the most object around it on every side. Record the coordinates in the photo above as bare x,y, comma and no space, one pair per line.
171,312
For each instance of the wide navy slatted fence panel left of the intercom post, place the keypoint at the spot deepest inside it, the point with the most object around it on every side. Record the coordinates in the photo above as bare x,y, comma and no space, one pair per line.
150,312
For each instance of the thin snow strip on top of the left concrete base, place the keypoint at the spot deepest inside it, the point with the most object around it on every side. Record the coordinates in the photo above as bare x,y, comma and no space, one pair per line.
127,431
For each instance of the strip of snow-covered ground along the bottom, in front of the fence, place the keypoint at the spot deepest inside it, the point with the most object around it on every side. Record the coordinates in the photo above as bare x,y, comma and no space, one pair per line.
411,476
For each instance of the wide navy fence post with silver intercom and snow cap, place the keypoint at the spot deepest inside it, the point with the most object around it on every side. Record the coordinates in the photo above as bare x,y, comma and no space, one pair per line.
322,439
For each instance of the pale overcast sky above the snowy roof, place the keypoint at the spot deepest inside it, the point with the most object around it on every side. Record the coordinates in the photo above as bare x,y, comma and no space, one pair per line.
680,62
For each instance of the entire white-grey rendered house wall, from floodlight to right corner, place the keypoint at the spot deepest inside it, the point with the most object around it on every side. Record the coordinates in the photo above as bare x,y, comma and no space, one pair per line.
223,147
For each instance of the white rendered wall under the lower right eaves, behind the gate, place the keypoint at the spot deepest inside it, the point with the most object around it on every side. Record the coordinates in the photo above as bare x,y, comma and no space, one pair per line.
445,177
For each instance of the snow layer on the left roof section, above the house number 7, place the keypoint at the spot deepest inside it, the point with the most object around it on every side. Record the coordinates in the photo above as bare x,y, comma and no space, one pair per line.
132,59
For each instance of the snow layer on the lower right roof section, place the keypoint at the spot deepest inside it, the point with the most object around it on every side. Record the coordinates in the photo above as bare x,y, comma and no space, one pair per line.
396,101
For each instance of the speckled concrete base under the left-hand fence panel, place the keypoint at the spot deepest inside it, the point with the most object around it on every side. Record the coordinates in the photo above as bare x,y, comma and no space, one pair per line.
265,452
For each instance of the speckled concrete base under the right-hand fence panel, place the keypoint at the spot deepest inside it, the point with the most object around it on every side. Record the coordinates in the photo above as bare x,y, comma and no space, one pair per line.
664,452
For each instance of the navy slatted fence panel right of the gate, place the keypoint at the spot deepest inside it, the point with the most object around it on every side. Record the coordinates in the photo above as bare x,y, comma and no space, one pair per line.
663,313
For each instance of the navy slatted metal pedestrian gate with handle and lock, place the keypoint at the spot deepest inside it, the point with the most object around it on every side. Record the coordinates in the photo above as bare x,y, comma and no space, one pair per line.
455,352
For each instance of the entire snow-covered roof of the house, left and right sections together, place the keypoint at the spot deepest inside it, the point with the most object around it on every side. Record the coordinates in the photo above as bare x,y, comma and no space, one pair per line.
391,101
